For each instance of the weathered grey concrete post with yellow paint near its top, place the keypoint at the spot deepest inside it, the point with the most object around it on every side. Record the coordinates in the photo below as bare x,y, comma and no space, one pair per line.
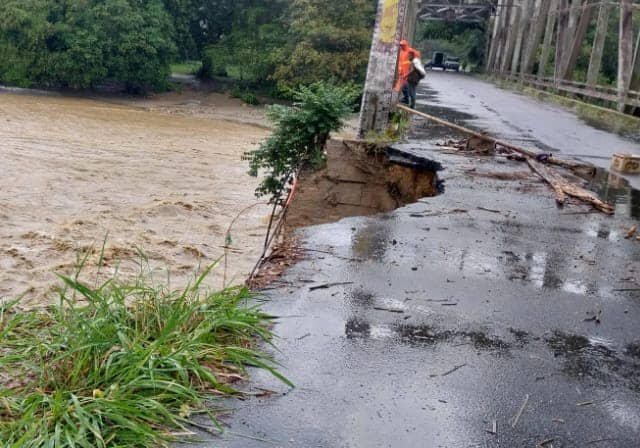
379,96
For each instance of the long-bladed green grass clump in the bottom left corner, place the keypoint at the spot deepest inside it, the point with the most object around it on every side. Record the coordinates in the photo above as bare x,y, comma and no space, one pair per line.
125,366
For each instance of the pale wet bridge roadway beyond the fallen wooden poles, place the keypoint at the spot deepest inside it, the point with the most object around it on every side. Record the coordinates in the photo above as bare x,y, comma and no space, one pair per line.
525,120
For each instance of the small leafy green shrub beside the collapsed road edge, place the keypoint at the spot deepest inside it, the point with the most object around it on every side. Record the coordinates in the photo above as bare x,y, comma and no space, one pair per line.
299,135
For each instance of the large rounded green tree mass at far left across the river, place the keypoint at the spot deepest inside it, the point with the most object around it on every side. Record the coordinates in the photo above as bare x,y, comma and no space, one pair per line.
79,43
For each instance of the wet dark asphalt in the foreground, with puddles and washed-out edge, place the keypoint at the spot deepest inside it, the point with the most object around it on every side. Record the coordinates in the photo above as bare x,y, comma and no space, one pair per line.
484,303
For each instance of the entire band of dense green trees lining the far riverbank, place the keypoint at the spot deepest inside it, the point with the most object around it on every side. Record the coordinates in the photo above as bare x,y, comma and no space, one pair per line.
274,44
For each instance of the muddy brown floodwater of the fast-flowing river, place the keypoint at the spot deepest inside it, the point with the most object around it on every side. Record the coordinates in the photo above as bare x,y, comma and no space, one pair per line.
162,176
